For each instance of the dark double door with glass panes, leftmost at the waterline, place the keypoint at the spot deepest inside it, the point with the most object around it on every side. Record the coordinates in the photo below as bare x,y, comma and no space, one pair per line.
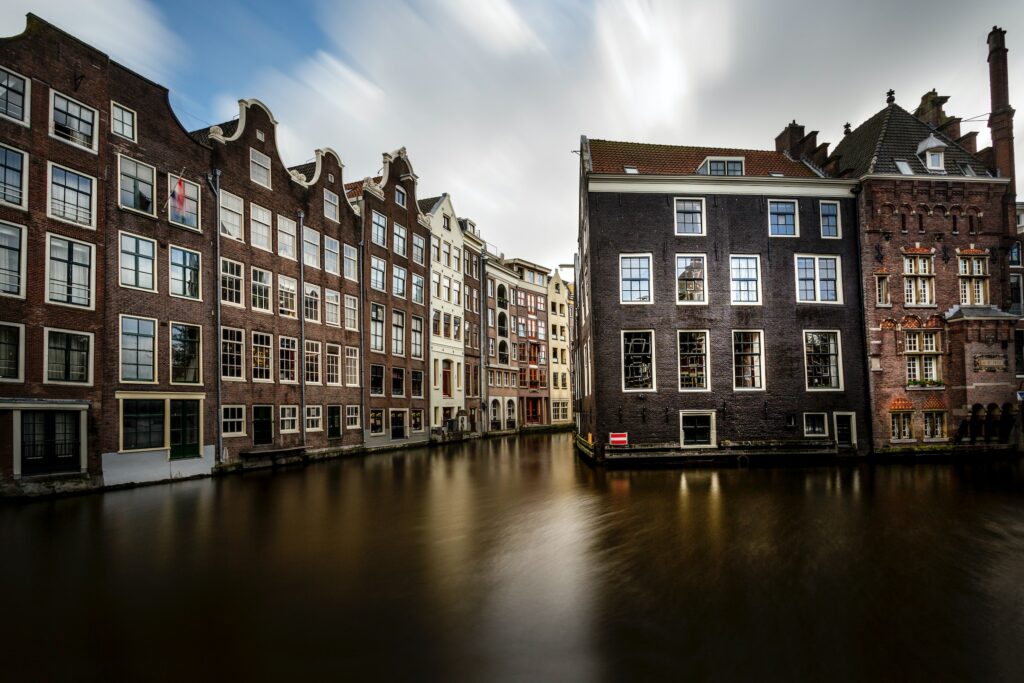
51,443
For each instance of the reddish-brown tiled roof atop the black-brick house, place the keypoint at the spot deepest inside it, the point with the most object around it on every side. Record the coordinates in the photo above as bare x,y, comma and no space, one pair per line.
613,157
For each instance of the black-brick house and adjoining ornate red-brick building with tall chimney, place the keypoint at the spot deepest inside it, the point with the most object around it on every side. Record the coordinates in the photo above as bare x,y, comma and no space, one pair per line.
792,302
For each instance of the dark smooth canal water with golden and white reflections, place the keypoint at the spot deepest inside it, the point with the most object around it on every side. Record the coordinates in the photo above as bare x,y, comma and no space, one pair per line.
510,560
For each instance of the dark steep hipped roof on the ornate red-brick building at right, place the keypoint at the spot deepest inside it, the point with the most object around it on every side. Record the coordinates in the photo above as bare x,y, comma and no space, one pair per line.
895,134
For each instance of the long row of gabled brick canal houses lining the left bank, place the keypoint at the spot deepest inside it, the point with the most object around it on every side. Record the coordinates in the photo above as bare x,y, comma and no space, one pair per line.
181,302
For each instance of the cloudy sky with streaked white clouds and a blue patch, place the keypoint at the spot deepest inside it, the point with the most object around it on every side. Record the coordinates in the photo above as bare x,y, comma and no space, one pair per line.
490,98
